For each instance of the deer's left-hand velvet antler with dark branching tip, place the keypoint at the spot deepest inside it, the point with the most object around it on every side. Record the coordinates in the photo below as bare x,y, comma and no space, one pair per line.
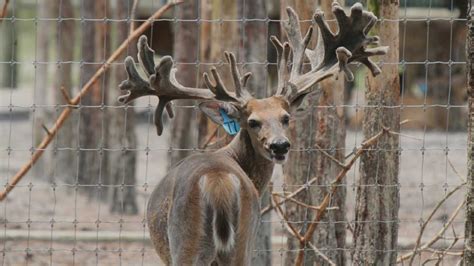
162,83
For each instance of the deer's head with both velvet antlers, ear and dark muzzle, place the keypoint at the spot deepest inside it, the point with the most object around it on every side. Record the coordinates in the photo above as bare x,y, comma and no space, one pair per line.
265,120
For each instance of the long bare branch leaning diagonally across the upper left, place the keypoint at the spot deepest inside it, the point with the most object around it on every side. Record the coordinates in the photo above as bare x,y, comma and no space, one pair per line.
85,89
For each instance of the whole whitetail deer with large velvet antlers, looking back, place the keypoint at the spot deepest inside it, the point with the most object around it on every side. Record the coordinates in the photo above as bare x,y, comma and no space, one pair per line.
205,211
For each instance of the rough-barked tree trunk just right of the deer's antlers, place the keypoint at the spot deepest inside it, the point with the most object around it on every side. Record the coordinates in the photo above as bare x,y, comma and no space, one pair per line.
377,198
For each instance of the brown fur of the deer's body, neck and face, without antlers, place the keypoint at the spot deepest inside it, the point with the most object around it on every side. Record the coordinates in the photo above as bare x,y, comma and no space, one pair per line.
178,217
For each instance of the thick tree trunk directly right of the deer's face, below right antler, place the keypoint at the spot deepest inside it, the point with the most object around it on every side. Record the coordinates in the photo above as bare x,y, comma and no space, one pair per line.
322,128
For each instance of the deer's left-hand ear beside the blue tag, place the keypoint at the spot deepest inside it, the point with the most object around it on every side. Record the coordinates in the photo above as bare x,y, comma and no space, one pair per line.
214,110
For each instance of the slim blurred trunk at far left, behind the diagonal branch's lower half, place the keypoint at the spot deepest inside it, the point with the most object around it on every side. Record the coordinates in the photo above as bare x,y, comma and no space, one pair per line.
64,151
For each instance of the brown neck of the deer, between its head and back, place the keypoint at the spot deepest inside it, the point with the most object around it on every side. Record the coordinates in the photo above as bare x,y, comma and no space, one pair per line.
257,168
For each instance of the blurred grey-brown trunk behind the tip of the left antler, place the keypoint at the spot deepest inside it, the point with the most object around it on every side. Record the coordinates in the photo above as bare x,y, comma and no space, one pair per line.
121,131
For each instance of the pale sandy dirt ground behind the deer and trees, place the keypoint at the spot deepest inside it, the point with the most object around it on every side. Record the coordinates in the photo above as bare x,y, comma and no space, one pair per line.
36,205
